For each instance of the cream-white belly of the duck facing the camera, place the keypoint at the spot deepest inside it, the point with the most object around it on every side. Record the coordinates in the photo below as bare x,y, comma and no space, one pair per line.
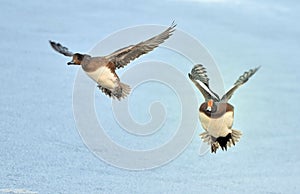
217,127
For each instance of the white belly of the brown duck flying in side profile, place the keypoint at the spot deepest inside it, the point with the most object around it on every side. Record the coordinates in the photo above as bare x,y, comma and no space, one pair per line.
104,77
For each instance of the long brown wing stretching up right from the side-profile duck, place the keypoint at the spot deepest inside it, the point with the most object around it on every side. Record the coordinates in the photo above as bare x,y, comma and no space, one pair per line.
123,56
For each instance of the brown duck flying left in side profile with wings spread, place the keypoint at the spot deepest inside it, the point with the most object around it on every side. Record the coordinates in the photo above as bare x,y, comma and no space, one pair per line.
102,69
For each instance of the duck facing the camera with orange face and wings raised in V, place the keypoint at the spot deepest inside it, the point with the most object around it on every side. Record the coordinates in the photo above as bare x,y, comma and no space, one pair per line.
216,114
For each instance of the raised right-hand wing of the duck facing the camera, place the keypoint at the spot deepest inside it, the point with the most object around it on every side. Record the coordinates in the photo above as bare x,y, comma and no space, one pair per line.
242,79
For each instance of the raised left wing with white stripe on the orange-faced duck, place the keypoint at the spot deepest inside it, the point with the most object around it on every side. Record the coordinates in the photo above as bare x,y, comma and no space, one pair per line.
200,79
